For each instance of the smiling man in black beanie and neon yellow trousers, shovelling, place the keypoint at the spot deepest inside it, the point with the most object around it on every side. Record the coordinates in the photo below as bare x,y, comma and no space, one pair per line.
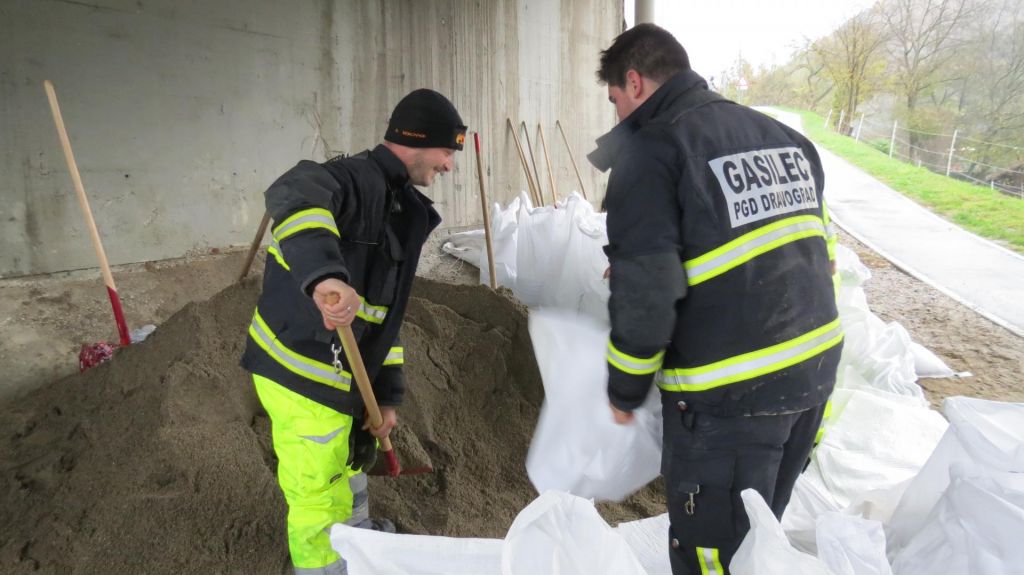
349,231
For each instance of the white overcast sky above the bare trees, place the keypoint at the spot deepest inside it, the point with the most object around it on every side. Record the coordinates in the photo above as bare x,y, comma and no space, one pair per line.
715,33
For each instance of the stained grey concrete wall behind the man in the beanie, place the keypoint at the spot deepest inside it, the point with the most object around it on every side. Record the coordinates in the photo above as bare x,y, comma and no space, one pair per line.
183,112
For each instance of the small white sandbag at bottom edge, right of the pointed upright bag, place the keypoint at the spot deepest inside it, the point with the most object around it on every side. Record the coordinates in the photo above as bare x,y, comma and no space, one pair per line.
850,546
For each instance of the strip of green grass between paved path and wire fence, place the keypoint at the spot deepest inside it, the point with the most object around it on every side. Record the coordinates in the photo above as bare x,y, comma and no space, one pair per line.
978,209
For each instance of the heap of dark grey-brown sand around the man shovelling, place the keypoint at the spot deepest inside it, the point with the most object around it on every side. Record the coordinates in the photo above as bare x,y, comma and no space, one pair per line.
160,462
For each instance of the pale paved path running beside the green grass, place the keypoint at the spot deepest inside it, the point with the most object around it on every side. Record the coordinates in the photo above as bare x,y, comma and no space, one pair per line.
977,273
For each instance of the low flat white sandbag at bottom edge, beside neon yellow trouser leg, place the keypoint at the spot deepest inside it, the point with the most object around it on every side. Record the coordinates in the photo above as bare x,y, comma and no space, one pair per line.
372,553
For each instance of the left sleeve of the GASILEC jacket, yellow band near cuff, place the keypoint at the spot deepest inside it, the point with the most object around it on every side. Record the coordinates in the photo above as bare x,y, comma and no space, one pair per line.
648,279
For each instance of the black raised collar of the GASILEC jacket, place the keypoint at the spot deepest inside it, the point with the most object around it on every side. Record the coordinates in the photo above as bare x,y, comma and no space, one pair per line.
668,96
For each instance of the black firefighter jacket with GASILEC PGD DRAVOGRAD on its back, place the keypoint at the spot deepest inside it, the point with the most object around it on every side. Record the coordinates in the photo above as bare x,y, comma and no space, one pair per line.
719,248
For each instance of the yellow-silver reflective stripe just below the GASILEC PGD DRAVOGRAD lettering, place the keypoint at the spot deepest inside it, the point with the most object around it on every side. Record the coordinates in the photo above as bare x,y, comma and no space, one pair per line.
750,246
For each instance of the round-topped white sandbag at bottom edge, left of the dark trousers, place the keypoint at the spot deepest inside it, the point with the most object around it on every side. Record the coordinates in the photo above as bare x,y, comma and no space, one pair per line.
563,535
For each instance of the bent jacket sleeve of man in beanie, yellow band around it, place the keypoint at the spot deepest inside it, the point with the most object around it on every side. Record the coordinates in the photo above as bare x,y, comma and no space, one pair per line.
306,205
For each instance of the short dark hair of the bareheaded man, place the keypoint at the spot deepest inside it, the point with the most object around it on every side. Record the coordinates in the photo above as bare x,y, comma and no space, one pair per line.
647,49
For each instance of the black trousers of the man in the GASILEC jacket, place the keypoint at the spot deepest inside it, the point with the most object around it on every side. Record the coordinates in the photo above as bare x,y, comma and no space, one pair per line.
708,461
